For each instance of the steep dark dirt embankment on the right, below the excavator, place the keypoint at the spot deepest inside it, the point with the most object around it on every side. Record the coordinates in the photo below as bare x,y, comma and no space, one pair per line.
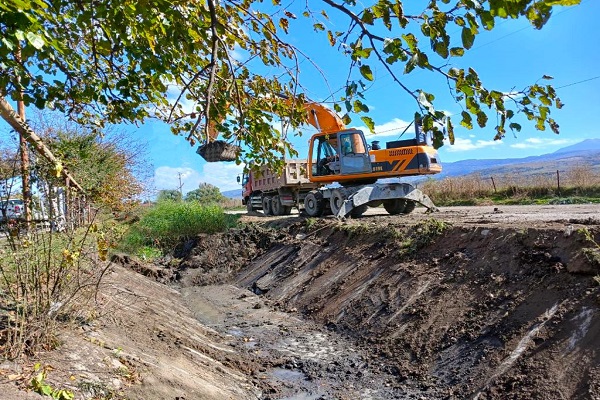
440,311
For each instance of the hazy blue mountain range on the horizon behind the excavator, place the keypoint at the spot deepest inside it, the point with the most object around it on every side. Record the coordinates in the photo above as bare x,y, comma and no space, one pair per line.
585,153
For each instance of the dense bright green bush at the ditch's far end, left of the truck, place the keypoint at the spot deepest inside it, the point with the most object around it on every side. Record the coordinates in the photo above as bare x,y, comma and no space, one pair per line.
169,223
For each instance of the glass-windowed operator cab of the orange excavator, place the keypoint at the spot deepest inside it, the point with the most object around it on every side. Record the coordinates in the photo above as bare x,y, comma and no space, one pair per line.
338,156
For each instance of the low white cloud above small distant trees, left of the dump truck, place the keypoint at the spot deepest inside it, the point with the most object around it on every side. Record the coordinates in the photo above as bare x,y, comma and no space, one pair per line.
222,174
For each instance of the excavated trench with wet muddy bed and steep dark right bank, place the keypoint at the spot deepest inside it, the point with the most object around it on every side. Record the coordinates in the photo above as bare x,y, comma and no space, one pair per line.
383,309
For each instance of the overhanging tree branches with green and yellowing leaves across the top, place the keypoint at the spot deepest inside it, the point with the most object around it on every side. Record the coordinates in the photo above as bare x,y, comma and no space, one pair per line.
110,62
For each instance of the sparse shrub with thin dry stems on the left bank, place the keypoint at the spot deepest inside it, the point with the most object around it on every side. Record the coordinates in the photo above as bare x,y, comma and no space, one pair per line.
46,277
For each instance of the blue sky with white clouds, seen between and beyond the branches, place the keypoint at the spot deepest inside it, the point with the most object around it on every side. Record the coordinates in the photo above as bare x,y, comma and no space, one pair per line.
511,56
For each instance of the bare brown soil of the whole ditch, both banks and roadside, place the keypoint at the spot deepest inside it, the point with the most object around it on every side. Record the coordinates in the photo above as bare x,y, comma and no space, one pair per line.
471,302
